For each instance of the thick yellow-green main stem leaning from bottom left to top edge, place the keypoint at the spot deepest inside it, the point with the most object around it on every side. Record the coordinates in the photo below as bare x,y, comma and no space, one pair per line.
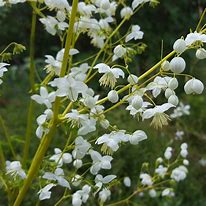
33,170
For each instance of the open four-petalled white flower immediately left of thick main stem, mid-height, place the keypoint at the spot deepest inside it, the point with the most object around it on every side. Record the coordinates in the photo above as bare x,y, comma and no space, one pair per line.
44,97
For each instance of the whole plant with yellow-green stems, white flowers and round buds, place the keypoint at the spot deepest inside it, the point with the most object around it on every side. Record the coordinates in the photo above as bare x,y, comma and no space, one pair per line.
76,110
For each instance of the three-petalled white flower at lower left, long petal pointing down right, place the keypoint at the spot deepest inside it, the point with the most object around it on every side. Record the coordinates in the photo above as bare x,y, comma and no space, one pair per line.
58,176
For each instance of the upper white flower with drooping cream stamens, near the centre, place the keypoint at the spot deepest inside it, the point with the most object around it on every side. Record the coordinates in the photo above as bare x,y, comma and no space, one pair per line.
110,74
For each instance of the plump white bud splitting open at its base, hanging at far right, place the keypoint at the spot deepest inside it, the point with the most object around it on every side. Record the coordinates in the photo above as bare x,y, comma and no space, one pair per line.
194,86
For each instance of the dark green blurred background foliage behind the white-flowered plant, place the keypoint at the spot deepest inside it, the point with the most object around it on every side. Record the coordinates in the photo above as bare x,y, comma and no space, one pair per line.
167,22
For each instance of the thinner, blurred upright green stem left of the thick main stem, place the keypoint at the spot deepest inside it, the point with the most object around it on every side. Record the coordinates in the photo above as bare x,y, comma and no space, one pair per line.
30,116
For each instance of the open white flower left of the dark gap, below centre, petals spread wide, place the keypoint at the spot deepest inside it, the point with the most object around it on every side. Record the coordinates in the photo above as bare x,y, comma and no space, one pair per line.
99,162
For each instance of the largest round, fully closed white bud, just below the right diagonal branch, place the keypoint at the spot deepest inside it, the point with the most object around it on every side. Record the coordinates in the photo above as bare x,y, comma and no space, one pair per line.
177,65
